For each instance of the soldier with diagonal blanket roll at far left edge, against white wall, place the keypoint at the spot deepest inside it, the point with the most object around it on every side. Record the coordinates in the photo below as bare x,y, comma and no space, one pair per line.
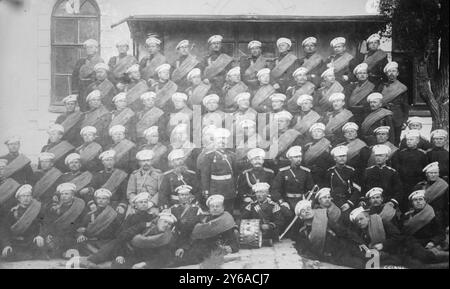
18,165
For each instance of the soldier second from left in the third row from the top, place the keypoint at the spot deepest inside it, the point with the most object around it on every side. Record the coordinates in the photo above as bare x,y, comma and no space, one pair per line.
98,116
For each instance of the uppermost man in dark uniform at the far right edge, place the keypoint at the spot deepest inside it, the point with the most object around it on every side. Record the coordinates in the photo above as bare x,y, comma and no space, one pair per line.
439,153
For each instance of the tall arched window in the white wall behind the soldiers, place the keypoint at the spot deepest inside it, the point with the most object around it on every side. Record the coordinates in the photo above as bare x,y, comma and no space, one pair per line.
73,22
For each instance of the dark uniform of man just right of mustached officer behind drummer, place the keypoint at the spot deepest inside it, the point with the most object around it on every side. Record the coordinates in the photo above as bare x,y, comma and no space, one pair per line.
291,184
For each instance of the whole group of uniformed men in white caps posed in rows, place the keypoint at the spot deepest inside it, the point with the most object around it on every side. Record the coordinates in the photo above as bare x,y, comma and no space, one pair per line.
120,178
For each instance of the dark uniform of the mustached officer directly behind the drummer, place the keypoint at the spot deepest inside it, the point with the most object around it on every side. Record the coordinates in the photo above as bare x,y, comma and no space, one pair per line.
250,177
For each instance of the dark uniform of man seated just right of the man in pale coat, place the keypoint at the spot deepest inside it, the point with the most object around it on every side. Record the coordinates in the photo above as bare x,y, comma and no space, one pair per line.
170,181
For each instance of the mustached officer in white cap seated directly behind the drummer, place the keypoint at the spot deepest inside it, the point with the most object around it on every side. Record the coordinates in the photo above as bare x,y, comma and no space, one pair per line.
256,174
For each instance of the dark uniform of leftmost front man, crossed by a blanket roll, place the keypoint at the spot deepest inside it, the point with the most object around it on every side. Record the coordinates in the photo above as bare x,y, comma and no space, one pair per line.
23,246
